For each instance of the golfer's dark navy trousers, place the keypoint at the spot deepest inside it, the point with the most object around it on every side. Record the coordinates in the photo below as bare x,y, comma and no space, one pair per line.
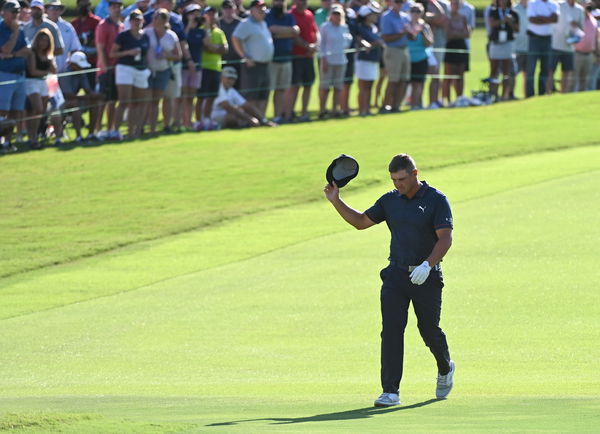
397,292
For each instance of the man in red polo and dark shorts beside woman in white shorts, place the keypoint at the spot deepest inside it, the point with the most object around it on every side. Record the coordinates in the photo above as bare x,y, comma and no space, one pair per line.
106,34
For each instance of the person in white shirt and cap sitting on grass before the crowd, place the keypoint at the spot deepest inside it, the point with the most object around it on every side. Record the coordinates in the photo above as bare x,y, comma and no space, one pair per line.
230,109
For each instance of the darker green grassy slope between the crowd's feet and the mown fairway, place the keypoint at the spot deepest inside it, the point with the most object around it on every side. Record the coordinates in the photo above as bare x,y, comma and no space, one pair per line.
66,205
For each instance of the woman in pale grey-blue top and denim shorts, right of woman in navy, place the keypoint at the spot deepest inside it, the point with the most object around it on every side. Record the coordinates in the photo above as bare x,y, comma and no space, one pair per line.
164,49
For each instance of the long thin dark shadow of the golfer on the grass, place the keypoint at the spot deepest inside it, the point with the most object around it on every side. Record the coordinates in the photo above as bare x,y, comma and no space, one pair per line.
360,413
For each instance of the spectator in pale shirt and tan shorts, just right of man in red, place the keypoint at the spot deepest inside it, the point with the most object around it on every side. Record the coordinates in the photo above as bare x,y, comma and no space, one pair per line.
335,39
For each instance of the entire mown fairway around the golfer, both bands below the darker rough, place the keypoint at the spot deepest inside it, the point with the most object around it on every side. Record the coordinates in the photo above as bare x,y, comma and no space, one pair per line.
278,330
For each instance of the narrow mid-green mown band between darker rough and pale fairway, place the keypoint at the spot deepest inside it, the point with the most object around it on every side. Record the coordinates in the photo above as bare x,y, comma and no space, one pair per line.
146,263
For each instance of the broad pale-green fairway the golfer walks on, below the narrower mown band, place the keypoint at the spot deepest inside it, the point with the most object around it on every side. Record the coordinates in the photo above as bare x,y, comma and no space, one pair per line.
288,341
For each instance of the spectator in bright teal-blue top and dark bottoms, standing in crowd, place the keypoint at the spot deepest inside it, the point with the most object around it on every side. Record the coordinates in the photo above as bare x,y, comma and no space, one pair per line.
421,38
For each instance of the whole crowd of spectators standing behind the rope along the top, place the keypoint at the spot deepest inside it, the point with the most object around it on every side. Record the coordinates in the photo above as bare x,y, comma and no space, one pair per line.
204,69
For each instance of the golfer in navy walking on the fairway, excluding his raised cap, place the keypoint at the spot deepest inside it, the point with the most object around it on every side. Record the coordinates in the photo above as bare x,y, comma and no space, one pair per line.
420,221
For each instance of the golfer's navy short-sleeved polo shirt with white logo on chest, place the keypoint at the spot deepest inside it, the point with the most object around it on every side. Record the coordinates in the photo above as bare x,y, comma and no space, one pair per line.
412,222
